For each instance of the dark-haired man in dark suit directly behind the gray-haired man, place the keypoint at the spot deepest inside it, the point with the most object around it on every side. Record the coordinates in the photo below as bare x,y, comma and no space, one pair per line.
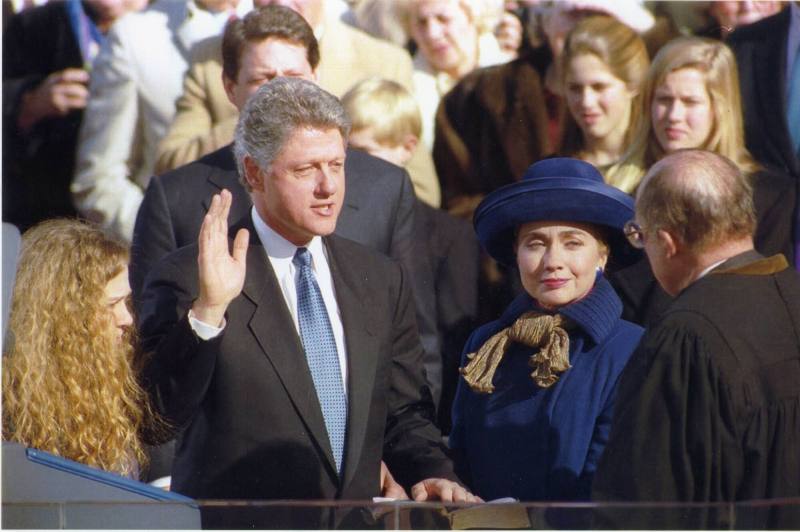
269,42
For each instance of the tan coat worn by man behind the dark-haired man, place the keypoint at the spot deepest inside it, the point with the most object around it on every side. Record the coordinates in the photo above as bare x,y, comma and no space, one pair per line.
205,118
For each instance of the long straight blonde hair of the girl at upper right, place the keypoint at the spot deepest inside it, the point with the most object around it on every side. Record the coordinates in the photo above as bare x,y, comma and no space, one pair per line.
718,65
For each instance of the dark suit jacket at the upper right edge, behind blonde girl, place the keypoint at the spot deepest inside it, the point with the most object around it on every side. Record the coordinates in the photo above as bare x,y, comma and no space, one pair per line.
760,50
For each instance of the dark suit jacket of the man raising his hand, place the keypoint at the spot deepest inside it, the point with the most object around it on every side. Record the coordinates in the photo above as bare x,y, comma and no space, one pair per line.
246,399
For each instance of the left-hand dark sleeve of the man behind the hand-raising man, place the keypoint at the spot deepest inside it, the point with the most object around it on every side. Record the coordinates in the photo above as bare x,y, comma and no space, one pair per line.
153,235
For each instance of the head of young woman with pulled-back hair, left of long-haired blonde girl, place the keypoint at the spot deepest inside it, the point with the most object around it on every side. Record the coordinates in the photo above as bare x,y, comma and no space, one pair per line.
603,66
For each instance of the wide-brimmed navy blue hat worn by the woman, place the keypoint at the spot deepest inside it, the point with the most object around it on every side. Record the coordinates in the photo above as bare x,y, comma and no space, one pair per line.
557,189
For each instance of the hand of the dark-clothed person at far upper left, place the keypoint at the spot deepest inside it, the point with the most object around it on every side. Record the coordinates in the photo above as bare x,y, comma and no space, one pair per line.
56,96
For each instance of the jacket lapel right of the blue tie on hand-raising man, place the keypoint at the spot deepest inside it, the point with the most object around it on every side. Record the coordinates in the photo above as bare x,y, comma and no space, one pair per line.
362,350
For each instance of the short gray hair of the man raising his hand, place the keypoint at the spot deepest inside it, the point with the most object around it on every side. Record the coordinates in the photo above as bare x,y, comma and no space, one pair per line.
274,112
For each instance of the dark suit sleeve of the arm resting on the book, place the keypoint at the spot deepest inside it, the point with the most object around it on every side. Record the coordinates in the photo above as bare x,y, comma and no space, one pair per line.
413,447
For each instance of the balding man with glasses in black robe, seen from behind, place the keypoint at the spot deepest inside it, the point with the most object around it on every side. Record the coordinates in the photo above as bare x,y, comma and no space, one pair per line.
707,416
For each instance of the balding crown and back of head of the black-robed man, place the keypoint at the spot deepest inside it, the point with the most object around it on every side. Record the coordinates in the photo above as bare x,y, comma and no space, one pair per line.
700,197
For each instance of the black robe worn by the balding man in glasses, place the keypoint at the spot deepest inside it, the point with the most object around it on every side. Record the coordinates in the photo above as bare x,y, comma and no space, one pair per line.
708,408
